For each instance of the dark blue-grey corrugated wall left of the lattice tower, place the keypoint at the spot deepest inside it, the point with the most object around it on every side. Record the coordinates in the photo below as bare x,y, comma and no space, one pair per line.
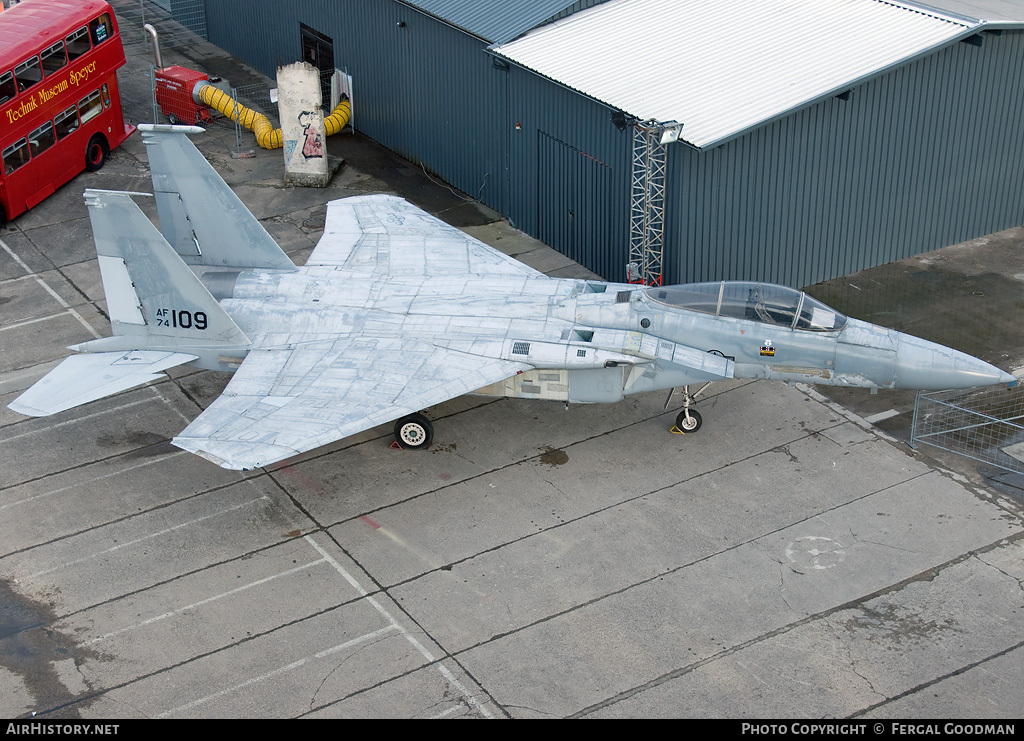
432,94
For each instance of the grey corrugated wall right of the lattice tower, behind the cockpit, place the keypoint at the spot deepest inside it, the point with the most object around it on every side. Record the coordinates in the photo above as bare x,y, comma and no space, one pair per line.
925,157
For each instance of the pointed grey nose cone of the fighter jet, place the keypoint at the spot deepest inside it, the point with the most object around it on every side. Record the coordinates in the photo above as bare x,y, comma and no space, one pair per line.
929,367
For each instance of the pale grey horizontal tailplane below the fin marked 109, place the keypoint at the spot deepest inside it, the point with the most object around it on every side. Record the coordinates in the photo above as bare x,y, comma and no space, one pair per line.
81,379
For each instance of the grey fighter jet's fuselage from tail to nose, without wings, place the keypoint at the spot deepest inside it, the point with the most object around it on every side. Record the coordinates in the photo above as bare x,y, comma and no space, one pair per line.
592,341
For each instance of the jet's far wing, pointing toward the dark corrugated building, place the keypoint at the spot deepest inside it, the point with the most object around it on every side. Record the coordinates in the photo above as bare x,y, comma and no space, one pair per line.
388,236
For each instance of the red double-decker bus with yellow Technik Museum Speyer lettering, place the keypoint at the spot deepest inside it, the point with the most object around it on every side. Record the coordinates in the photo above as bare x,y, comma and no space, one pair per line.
60,109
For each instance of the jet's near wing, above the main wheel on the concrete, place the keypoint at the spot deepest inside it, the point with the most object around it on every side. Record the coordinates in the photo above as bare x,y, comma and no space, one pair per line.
283,403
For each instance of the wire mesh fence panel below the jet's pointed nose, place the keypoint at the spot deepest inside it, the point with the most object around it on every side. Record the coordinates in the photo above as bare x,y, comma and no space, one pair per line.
986,425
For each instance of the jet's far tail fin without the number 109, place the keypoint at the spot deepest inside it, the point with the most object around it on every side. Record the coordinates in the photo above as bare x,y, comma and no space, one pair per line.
200,215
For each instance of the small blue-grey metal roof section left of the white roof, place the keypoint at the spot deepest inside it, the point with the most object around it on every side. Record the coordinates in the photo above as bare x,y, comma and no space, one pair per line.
495,21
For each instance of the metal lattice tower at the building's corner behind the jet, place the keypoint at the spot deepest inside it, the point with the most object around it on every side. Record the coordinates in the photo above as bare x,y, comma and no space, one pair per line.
648,204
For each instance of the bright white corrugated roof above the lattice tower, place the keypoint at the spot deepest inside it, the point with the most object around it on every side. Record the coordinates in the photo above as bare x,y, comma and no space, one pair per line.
724,67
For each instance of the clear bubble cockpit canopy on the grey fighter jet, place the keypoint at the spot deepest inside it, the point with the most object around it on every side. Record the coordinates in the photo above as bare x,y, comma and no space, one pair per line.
766,303
